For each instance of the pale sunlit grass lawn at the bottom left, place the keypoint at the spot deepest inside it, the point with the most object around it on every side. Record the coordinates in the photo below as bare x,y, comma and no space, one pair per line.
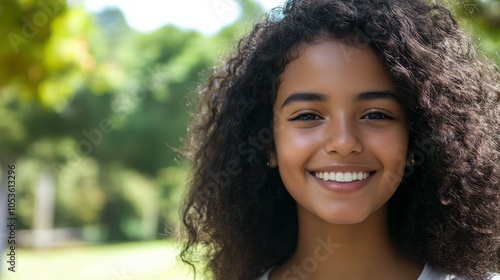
126,261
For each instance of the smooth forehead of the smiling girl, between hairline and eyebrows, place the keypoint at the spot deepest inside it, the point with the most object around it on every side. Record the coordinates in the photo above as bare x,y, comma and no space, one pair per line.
331,65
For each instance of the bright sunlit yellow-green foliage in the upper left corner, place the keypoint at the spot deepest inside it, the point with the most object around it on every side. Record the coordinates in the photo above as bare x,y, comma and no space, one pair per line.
46,50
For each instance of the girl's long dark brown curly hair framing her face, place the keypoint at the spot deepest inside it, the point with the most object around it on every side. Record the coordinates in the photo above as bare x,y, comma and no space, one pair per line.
239,220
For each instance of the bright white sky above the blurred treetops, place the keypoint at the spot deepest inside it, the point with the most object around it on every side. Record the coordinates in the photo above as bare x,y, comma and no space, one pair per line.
206,16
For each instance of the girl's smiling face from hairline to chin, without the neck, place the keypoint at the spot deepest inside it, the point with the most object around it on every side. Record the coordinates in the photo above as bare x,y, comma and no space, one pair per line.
340,132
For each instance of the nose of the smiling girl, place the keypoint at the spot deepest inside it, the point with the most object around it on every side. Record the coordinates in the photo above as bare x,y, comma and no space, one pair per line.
342,138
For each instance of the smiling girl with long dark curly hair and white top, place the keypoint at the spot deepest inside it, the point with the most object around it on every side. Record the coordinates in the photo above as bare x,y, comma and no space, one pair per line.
348,140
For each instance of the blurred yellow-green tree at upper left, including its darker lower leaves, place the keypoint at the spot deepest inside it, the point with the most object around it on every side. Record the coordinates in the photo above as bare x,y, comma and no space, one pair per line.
46,56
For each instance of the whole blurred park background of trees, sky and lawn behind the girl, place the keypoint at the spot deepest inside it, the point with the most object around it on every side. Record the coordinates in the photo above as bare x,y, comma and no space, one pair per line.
94,102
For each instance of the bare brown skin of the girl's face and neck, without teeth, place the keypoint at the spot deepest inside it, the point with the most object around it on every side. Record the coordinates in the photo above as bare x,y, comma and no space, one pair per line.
338,111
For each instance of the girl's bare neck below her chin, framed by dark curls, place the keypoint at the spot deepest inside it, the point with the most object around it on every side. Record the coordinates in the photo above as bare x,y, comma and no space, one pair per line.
357,251
